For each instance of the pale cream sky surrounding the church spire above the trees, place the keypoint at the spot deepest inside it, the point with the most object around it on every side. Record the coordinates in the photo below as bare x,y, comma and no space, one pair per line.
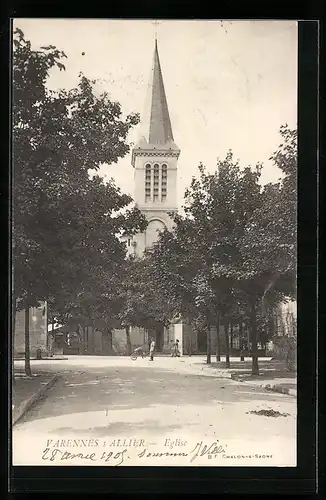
229,84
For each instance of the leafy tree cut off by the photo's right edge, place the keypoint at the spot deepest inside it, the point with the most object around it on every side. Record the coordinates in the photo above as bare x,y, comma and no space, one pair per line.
269,245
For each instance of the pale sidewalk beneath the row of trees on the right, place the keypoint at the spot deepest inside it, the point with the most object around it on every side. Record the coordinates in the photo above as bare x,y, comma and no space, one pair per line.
273,375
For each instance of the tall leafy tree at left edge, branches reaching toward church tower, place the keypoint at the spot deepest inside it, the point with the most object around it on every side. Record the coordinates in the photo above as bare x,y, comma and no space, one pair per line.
63,217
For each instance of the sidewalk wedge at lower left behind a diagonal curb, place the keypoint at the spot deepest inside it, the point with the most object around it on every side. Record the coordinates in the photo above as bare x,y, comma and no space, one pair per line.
27,390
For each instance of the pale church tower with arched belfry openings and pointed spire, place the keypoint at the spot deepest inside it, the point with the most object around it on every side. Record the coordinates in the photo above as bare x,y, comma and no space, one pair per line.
154,158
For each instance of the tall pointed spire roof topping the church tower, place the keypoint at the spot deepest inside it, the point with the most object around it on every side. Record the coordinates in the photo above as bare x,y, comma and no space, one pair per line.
156,129
